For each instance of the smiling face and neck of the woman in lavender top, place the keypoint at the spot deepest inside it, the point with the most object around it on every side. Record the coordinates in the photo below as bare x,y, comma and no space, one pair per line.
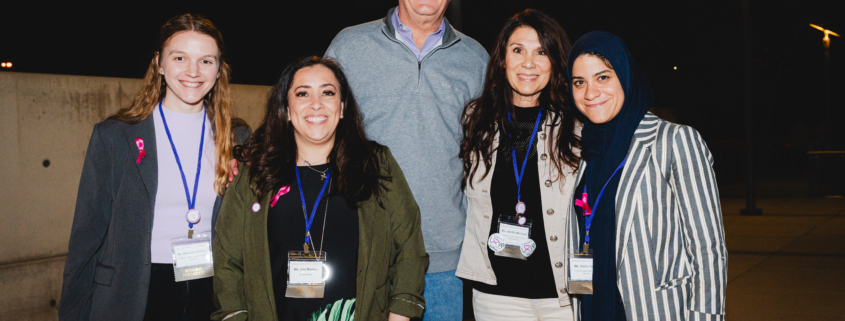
190,65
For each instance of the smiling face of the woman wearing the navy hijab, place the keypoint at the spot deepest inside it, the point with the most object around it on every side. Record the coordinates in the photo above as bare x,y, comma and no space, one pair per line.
596,89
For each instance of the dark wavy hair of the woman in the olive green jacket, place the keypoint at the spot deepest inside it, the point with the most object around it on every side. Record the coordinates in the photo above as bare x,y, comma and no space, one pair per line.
271,151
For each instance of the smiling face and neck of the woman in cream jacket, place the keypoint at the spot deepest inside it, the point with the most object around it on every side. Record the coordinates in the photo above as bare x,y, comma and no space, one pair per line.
527,66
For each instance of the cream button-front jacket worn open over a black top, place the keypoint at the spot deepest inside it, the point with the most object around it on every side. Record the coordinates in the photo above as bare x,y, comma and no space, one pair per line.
556,196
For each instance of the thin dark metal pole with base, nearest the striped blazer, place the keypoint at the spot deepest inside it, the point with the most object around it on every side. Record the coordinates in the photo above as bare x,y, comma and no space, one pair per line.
750,205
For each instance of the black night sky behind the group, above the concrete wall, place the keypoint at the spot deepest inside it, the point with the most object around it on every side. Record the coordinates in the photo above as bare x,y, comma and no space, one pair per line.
704,39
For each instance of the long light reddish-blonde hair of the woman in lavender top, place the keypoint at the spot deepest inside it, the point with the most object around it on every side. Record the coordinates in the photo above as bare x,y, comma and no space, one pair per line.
217,102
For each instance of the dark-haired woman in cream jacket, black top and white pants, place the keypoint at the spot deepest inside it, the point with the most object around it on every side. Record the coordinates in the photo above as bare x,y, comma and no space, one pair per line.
513,251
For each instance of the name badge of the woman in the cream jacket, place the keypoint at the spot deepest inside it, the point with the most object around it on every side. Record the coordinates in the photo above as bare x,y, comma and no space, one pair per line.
513,239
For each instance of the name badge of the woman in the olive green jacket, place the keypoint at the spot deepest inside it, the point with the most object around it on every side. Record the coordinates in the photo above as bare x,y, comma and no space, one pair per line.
307,275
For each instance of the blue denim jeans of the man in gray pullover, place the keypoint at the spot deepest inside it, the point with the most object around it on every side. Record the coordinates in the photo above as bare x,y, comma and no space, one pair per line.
443,297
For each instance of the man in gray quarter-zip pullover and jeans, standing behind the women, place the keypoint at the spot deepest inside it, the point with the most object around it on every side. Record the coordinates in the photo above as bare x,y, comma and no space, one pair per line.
412,74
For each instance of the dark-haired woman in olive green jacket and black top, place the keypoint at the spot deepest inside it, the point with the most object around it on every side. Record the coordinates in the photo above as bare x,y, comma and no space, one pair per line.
324,221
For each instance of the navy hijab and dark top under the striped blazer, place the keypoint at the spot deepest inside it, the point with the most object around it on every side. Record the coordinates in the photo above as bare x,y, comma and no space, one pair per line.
604,147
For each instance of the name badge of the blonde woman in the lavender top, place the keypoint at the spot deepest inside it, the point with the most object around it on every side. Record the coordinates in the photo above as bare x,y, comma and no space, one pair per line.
192,257
